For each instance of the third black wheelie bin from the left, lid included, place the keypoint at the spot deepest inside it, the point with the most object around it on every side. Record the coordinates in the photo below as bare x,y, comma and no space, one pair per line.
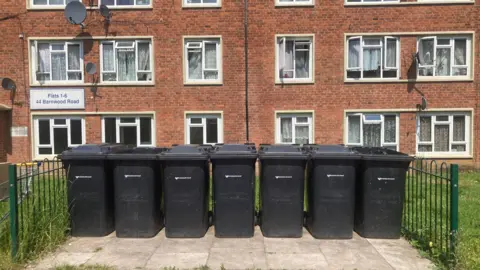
185,187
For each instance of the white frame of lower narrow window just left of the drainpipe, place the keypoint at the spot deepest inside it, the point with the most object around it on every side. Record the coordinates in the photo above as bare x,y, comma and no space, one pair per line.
204,116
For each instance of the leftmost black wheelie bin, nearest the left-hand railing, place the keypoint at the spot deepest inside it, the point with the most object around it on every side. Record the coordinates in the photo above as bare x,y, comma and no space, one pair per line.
90,189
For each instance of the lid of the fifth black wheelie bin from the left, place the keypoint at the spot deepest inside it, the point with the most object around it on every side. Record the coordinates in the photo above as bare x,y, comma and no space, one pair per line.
282,151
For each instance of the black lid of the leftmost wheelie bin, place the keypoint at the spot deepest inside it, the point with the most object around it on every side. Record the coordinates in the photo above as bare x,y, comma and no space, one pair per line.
91,151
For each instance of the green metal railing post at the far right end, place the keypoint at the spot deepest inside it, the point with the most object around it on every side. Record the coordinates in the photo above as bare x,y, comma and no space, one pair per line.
453,205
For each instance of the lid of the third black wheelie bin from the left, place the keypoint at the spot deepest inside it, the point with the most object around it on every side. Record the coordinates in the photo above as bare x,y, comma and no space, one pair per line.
186,152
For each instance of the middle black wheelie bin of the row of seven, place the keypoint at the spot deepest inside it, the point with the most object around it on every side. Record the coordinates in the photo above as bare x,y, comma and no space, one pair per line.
233,168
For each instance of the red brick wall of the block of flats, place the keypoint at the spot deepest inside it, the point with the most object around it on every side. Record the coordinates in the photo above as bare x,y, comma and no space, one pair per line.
329,96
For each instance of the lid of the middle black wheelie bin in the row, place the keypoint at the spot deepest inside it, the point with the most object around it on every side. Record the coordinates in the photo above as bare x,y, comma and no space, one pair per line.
230,151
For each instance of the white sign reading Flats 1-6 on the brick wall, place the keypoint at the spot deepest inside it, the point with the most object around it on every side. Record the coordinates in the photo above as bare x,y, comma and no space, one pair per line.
57,99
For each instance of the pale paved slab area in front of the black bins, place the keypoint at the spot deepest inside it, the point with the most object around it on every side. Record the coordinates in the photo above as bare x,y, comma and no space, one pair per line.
251,253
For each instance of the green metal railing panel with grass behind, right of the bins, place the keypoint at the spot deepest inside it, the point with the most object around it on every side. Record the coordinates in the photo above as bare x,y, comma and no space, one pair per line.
430,213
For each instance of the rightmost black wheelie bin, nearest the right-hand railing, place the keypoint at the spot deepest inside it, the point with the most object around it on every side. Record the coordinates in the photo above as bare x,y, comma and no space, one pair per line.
380,192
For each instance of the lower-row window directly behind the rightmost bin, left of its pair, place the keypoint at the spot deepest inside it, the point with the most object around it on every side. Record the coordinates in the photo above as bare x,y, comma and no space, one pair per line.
374,130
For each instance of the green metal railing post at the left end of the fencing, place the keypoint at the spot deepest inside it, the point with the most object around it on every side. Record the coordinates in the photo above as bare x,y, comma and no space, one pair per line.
12,180
